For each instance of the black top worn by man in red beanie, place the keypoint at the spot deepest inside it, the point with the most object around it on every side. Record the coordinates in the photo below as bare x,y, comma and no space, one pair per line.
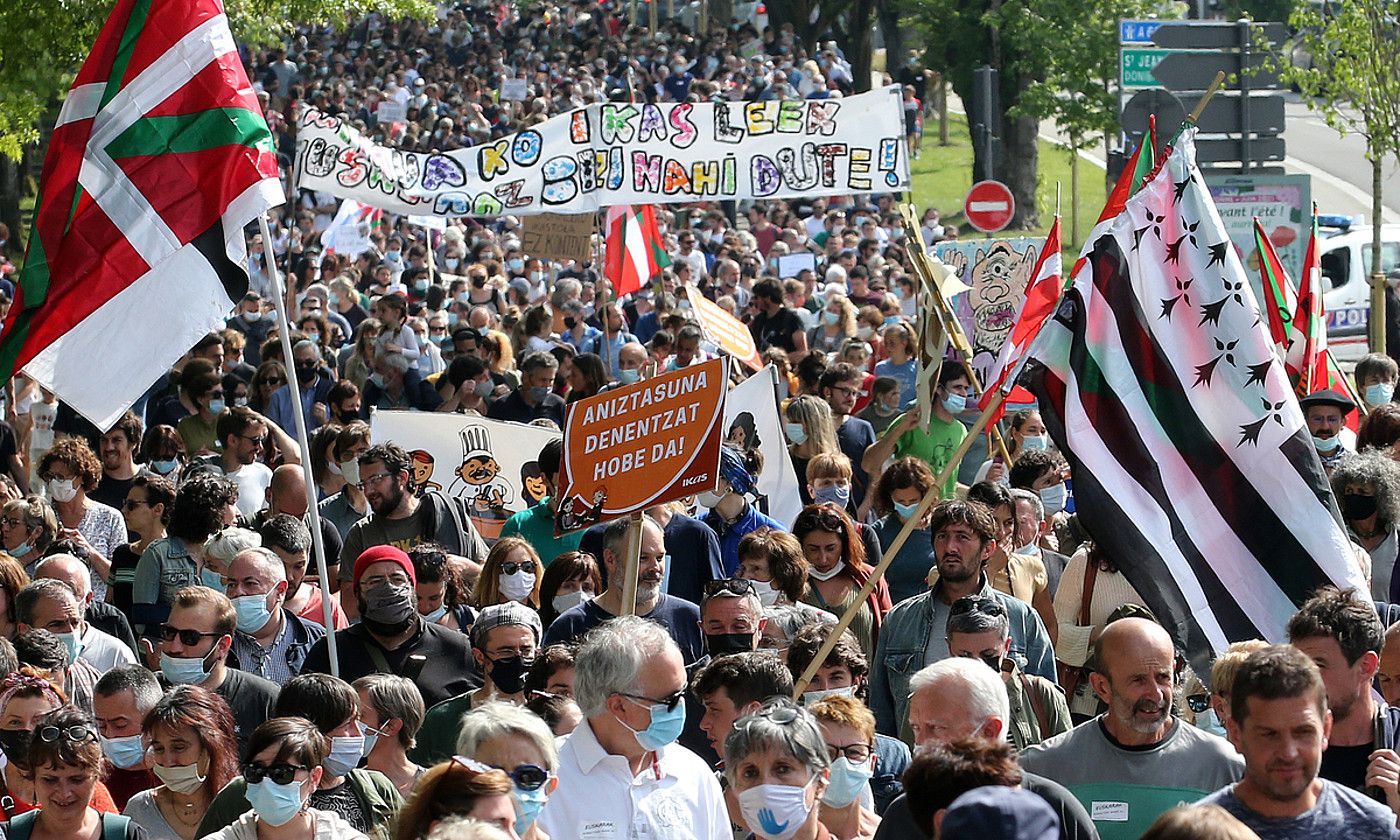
447,667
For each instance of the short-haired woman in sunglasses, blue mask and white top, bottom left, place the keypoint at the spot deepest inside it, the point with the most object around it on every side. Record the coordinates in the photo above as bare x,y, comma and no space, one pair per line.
285,768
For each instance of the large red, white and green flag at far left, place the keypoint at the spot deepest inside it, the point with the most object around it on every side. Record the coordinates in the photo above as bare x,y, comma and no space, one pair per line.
159,160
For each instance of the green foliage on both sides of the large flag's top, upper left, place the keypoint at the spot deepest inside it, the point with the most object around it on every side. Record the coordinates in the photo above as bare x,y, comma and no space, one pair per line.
48,40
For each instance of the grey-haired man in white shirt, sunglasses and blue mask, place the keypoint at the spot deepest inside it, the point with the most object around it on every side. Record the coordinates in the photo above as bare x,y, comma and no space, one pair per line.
621,773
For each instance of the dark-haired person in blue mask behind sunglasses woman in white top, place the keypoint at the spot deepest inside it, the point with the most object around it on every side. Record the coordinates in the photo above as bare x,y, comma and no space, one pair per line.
367,800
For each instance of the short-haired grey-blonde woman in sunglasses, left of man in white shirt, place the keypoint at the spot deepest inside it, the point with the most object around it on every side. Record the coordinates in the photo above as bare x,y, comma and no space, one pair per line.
519,743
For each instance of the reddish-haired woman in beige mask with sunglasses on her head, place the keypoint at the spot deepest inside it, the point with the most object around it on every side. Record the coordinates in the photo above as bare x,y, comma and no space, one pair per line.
192,750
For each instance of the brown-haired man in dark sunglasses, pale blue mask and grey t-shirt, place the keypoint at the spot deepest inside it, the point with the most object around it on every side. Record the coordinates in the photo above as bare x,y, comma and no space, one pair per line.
195,643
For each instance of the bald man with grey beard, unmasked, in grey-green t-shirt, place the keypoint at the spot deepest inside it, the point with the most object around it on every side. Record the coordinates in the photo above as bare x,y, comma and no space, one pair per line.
1137,761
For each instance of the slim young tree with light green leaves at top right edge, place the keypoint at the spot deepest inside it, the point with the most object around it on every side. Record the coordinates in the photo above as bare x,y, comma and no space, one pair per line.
1353,82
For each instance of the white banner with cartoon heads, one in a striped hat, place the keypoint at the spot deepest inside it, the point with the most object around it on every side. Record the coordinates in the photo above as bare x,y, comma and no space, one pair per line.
489,463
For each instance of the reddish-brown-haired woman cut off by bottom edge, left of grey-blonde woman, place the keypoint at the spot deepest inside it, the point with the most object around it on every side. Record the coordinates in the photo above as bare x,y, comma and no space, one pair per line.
460,787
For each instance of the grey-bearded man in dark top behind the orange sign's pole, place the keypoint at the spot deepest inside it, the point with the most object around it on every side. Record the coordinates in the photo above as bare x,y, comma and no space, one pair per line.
677,615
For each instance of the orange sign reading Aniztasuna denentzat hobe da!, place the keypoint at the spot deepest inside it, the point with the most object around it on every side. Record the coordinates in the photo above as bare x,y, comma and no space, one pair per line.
640,446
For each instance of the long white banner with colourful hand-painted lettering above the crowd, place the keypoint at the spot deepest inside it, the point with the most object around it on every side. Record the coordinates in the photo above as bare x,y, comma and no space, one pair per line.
619,153
